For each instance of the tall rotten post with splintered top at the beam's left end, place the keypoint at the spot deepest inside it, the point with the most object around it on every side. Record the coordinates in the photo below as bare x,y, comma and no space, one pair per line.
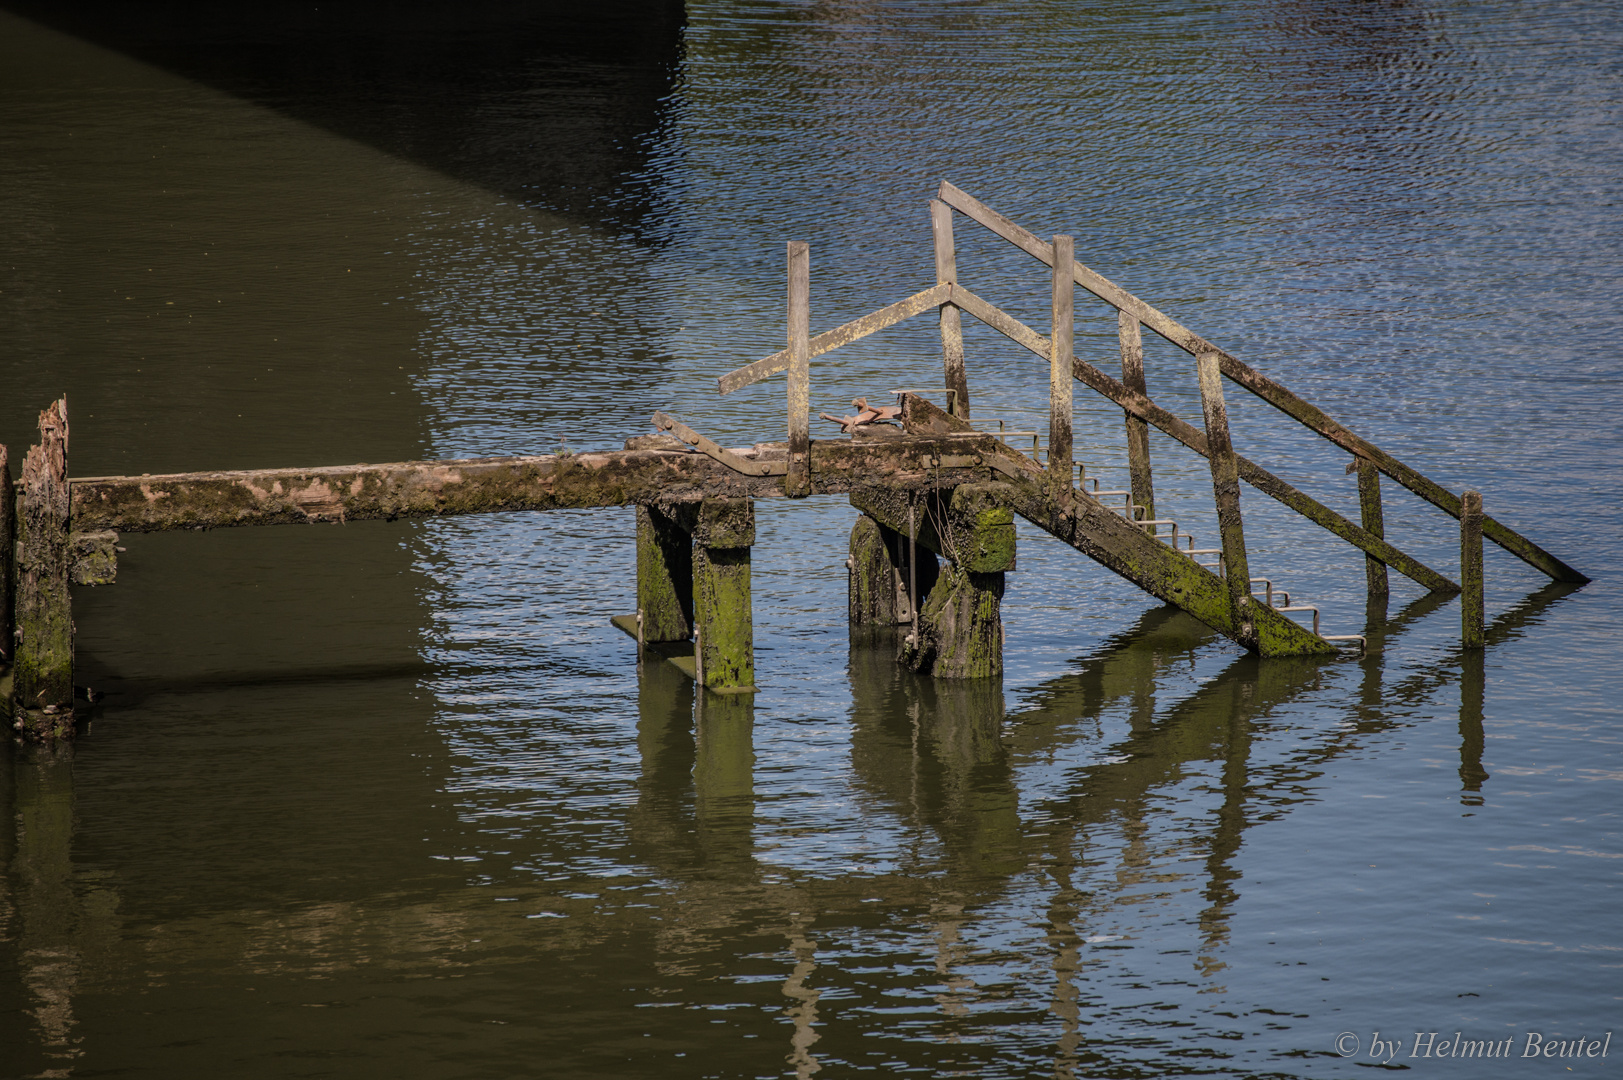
45,654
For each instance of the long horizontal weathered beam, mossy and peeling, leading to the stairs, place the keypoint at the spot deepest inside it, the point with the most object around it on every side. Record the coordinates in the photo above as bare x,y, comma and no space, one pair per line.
618,478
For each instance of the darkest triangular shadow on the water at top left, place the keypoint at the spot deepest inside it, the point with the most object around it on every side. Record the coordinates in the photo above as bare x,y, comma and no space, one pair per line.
548,103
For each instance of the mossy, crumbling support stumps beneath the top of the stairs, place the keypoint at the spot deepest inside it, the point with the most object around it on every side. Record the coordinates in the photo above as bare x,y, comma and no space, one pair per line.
958,633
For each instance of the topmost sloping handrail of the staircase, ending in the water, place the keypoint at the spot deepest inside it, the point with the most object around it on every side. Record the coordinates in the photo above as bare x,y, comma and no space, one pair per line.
1264,387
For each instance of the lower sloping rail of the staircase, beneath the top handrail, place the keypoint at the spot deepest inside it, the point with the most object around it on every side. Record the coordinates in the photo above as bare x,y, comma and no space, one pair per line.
1192,438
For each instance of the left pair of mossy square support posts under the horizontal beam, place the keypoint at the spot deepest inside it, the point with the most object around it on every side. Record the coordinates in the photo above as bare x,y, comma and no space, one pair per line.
694,581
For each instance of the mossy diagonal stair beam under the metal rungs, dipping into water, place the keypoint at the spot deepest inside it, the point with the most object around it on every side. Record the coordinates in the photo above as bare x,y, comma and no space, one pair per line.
1111,542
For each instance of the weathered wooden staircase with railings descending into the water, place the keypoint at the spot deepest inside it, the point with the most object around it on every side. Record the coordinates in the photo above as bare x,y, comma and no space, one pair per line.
1213,584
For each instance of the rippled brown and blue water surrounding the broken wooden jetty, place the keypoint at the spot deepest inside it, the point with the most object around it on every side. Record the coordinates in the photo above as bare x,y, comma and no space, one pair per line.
397,800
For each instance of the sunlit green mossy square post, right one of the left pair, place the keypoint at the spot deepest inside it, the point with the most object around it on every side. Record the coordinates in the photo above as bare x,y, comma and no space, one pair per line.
725,633
